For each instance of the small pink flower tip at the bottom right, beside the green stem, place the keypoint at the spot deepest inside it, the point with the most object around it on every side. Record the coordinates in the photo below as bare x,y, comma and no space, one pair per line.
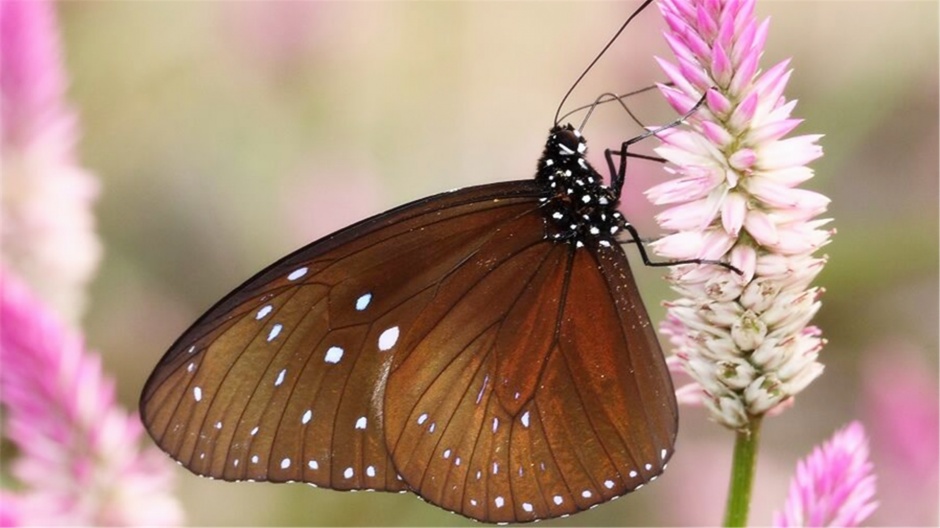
834,485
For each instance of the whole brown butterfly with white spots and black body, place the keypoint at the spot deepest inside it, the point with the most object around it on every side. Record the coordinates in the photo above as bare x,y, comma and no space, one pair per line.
486,349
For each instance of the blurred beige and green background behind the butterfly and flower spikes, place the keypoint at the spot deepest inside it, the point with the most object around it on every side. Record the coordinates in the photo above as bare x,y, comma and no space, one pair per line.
227,134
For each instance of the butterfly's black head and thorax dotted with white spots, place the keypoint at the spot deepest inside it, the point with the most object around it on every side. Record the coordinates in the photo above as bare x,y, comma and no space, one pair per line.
579,209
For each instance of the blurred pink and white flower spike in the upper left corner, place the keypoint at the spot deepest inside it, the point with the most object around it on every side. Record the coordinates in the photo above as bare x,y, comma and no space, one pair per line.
48,233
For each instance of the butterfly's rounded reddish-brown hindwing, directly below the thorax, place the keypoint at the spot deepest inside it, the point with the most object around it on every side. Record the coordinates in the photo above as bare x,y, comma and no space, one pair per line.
537,409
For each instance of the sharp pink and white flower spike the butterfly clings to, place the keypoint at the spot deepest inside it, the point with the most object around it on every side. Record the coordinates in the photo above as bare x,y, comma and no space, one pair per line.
744,340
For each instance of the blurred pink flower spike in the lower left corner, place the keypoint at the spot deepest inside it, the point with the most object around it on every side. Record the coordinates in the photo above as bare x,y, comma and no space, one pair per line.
79,459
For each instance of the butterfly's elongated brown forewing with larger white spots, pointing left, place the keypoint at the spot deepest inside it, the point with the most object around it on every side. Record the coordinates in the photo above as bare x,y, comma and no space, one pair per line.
284,379
